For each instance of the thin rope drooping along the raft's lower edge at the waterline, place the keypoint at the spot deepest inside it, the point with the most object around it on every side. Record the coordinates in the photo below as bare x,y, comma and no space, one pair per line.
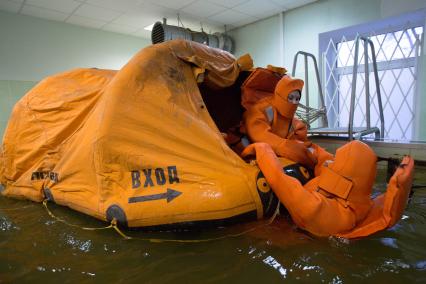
114,226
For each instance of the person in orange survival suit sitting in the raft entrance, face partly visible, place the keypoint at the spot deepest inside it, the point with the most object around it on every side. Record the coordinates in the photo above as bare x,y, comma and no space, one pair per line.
271,120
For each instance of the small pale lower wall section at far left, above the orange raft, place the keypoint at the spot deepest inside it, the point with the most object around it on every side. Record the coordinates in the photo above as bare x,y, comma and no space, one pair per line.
10,93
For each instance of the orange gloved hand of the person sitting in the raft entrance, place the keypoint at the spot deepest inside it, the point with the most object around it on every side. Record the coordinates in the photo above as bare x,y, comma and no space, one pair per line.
297,151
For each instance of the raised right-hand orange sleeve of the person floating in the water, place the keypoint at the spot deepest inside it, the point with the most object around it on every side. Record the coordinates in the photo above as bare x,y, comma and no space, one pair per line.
389,206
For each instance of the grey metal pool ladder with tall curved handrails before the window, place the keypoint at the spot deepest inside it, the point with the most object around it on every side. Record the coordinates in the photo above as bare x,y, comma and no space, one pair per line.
351,131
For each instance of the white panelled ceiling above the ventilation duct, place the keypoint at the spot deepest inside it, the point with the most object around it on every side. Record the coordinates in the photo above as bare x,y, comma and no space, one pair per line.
131,16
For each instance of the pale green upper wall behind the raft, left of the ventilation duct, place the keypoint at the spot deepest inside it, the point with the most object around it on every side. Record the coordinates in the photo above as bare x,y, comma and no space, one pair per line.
32,48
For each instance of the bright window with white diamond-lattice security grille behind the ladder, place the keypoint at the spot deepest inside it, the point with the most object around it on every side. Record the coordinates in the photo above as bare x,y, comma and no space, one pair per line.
397,45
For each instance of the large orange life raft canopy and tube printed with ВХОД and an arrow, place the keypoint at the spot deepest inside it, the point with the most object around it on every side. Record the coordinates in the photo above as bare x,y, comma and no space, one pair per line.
137,145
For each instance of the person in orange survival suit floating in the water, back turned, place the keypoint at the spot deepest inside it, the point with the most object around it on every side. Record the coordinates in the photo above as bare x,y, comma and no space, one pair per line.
337,201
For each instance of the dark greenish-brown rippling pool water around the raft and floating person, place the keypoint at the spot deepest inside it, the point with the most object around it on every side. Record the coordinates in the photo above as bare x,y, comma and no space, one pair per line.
36,247
